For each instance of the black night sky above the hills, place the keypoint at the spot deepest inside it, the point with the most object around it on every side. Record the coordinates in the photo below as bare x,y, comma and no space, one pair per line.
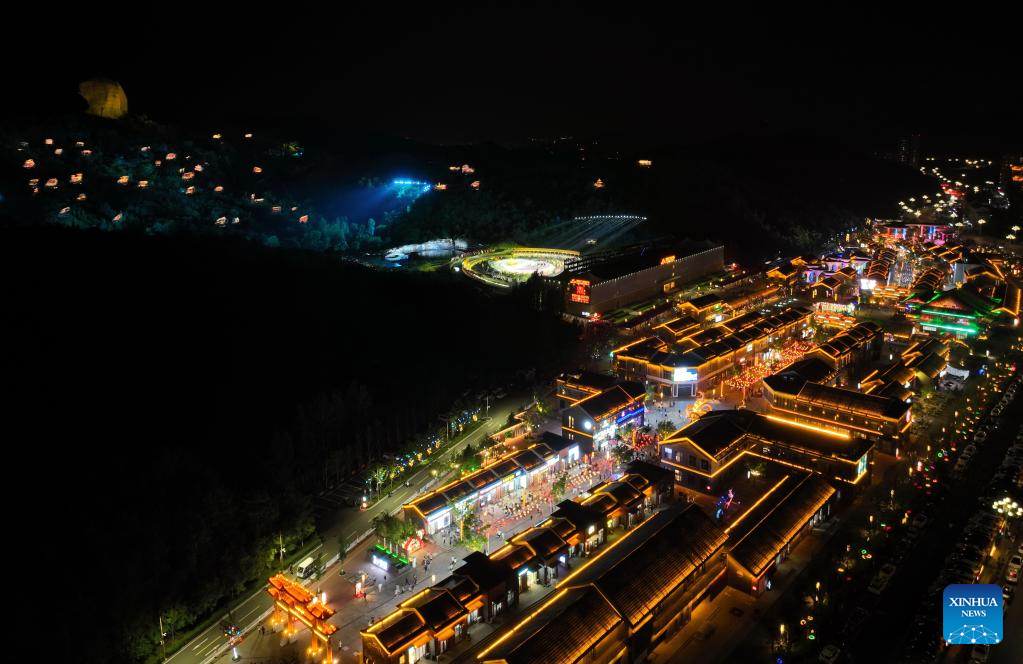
471,75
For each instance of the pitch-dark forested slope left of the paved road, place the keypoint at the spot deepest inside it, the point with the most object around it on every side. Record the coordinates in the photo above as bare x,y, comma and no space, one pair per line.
180,400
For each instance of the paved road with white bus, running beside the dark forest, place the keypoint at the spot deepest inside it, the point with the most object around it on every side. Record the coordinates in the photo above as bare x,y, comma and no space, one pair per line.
353,523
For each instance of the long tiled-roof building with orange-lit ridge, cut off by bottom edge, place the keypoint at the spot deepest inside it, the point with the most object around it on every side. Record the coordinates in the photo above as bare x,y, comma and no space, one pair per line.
607,611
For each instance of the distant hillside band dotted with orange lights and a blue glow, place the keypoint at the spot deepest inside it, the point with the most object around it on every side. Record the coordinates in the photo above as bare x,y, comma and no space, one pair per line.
329,191
